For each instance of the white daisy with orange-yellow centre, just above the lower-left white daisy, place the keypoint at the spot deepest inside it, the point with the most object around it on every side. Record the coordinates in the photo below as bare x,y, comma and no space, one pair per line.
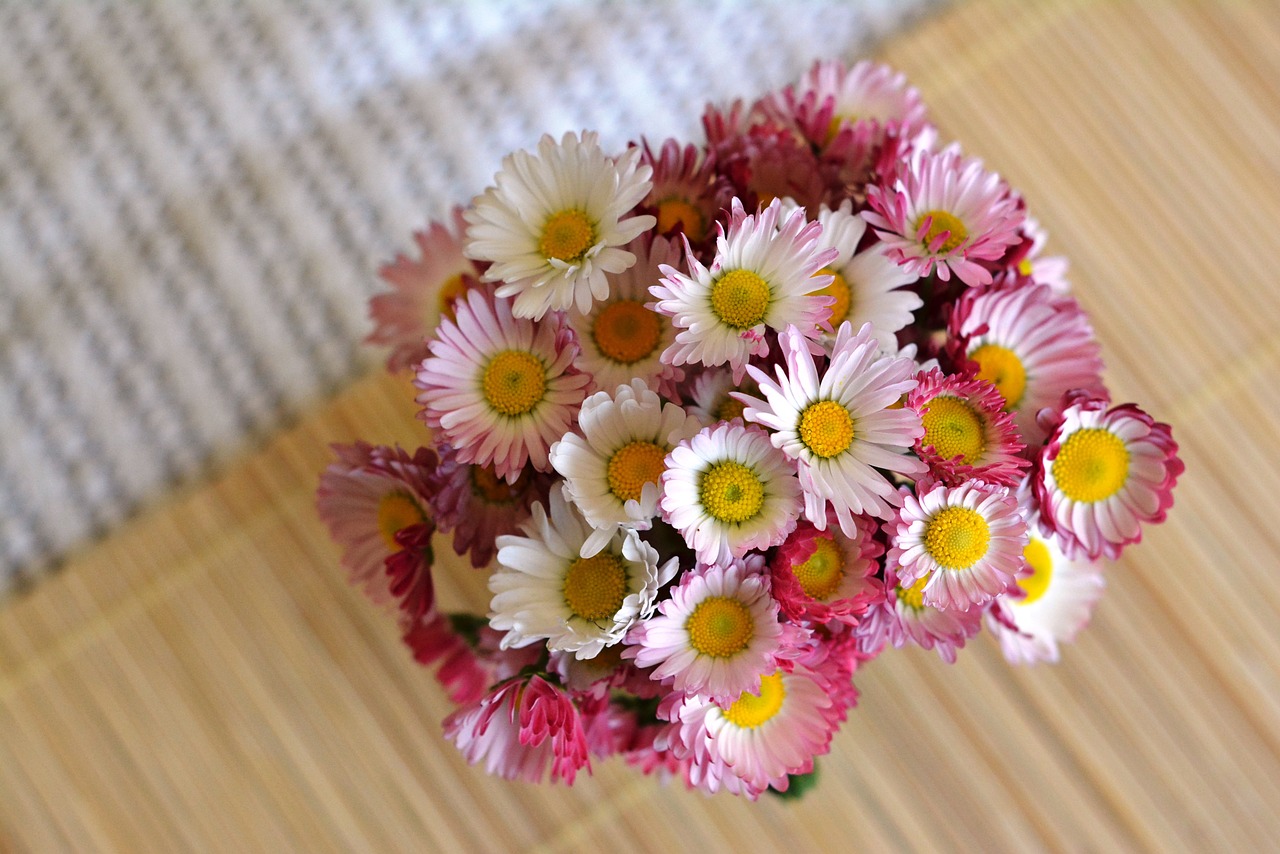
612,471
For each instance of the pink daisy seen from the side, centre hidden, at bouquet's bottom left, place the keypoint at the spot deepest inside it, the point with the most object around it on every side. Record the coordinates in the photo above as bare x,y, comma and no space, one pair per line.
520,729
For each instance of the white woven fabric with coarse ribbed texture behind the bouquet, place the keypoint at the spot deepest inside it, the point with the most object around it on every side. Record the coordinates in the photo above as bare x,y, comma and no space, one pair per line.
194,199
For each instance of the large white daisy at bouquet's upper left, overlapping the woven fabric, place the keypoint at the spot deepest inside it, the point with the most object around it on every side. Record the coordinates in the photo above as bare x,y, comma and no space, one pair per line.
554,226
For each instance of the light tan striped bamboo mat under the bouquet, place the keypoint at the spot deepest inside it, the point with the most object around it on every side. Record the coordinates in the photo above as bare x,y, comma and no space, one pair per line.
205,681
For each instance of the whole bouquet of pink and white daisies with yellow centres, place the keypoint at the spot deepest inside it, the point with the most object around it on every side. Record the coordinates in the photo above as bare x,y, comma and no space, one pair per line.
723,423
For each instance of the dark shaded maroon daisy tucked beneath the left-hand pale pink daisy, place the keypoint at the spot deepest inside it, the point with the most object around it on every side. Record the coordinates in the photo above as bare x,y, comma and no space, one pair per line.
479,506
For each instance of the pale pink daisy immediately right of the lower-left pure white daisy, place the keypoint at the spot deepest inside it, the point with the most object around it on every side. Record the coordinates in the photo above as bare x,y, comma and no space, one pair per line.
716,636
